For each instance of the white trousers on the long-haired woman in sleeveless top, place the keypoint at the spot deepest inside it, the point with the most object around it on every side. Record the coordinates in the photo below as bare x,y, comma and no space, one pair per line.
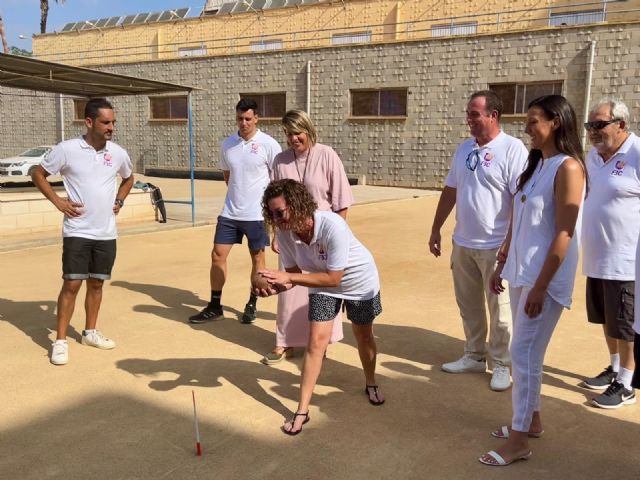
531,337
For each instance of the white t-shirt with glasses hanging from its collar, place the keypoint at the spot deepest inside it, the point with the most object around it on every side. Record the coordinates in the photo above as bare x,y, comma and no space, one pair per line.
484,194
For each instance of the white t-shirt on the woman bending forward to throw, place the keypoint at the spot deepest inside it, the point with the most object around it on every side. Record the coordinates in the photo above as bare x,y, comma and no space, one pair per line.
332,248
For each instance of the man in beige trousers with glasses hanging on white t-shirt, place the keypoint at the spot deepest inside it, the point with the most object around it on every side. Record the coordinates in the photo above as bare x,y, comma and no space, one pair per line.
481,184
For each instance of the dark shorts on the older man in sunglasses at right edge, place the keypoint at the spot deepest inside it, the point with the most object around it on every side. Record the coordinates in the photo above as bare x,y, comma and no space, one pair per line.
610,303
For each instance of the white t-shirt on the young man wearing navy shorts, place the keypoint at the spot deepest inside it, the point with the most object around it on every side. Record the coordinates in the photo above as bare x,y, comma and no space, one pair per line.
249,164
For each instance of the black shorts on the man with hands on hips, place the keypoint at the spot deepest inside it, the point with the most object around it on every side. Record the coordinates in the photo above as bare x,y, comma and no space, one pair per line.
84,258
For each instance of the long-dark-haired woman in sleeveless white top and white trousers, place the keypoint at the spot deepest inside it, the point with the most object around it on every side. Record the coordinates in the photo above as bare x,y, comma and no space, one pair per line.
541,262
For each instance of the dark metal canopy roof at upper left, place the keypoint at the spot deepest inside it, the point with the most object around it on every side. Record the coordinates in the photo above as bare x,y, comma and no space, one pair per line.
31,74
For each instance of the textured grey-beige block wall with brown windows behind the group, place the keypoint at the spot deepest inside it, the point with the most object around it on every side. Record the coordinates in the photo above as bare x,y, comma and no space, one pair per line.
414,152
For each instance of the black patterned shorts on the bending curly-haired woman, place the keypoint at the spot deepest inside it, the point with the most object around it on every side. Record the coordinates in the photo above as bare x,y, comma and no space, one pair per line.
323,308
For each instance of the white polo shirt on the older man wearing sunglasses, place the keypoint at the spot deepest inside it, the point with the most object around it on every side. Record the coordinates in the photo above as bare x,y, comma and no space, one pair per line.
612,213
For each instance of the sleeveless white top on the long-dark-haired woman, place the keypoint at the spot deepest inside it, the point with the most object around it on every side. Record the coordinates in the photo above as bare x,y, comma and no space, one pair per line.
534,229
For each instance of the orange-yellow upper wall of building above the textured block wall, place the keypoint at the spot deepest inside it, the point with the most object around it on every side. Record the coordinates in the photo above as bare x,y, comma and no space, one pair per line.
306,26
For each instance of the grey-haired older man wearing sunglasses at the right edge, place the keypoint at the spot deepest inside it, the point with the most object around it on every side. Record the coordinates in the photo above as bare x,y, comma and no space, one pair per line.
612,212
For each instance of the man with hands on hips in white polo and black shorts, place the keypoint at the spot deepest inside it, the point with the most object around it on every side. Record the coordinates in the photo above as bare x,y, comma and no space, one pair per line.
88,165
